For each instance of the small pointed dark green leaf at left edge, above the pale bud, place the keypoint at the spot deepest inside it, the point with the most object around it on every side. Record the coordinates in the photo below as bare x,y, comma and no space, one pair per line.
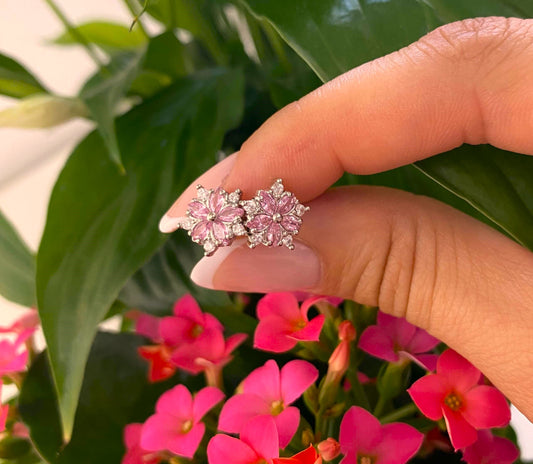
16,81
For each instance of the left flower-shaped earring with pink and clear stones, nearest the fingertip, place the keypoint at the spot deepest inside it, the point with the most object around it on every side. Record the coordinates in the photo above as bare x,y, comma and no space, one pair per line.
214,218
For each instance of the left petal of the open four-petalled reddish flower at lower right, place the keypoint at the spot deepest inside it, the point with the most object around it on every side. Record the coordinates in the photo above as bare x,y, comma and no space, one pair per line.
428,394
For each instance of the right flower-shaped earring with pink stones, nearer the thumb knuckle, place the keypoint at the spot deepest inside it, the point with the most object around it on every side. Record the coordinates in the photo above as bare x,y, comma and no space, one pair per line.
273,217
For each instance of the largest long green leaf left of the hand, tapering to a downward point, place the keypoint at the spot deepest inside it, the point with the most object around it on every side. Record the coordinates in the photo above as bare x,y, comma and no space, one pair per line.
112,219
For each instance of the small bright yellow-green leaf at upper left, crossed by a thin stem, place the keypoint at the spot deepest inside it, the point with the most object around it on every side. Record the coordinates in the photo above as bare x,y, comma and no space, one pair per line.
106,35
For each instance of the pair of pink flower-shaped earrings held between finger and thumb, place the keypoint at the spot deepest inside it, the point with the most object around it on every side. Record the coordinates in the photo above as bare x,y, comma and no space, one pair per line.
215,218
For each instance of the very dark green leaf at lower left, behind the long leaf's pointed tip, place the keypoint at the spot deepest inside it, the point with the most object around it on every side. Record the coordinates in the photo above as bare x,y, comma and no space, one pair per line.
115,392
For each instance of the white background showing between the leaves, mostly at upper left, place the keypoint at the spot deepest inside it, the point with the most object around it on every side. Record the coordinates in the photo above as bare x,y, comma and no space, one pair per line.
31,160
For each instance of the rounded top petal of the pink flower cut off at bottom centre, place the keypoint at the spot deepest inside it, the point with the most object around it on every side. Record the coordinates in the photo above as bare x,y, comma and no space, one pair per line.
261,434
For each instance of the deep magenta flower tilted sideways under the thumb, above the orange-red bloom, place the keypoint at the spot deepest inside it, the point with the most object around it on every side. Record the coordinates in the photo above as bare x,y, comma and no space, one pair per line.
394,339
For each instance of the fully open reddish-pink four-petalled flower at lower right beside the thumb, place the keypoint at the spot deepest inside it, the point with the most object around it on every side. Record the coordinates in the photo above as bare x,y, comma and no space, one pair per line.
455,393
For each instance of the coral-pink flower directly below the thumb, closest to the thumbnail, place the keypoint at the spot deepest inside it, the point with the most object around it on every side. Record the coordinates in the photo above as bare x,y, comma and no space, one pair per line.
283,323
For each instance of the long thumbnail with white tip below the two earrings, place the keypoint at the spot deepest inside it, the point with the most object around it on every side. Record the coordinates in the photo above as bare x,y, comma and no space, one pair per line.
238,268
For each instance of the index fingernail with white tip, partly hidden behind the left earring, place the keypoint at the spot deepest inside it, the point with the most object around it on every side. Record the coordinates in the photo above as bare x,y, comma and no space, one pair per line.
210,179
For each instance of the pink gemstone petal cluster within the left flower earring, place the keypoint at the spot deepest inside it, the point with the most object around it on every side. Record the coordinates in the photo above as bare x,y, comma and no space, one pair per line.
214,217
